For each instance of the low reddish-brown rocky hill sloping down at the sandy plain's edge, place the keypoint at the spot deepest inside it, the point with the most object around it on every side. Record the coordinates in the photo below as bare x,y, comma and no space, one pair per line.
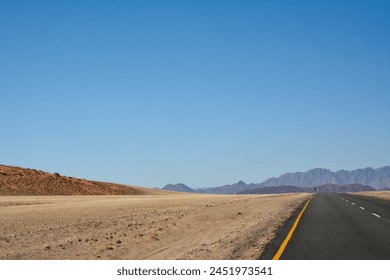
25,181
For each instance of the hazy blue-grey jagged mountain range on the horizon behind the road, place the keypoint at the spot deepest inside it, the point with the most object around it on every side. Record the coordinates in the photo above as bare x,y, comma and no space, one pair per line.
375,178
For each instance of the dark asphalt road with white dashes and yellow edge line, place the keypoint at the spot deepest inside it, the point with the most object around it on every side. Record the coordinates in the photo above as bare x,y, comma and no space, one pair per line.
341,227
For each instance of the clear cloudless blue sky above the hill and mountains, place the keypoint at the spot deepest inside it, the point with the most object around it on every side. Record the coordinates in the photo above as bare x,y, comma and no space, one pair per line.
201,92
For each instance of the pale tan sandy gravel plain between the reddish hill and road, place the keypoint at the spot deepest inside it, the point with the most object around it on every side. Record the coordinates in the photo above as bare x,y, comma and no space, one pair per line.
176,226
